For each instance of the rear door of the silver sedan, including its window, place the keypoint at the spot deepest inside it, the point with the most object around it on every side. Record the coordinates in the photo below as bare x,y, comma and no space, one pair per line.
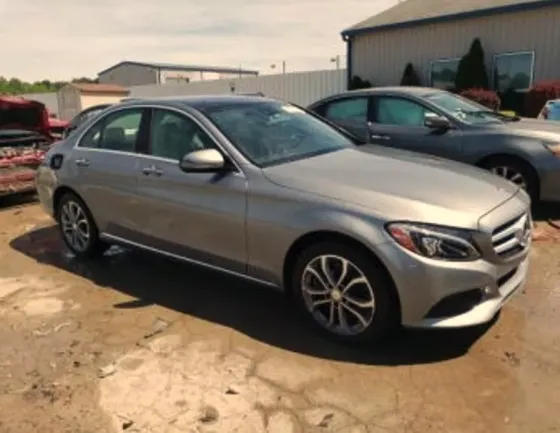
105,164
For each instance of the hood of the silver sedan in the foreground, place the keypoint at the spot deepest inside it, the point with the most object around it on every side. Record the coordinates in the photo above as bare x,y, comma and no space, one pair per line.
398,185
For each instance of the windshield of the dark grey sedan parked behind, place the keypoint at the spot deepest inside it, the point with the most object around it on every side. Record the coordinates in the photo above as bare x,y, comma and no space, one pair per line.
463,109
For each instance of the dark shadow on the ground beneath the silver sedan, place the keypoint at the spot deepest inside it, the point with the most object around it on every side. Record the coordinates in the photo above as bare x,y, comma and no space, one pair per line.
258,312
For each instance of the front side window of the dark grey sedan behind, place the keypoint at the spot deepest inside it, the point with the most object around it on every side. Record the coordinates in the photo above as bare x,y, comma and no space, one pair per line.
400,112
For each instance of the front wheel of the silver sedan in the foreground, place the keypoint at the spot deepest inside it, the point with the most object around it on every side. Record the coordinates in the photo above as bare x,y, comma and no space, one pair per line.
345,293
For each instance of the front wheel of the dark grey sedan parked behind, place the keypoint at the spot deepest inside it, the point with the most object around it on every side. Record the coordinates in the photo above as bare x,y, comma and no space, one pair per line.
519,172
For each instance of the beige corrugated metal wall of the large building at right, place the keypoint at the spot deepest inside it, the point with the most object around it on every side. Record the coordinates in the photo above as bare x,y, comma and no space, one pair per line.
381,57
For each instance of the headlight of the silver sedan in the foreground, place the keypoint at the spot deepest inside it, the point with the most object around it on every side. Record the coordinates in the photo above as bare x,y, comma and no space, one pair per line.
434,242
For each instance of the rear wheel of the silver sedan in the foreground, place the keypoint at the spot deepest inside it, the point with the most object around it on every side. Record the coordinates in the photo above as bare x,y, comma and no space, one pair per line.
78,229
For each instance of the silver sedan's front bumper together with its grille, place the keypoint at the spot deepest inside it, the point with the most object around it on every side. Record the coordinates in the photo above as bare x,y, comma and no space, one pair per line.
446,294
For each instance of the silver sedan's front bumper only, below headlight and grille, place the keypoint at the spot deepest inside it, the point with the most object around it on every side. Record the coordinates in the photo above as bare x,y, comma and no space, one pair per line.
424,284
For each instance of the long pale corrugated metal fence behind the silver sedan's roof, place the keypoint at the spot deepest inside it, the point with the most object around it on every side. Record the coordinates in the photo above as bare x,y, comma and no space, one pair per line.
299,87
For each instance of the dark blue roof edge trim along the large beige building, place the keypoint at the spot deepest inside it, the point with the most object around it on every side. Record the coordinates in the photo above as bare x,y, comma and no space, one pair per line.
520,7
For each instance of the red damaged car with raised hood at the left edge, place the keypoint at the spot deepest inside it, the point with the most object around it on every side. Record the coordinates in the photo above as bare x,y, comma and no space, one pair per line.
25,136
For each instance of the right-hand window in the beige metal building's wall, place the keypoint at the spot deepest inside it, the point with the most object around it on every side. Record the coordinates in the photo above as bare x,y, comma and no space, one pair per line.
513,71
